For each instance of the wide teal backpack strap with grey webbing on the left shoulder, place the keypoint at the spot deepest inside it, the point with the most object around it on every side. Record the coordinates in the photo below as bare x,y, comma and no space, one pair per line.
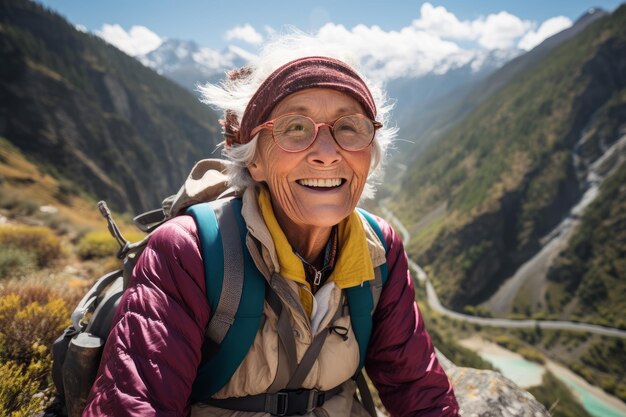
229,336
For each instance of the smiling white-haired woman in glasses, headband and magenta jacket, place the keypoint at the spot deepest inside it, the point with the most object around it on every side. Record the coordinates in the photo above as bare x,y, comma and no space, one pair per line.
304,132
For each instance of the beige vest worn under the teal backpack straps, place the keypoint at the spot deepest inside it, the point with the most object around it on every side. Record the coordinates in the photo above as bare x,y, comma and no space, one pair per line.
338,359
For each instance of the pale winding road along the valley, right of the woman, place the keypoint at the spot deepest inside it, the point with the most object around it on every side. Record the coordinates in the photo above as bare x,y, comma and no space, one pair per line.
435,304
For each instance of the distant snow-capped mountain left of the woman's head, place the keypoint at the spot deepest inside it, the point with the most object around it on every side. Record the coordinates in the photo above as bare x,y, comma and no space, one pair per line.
189,64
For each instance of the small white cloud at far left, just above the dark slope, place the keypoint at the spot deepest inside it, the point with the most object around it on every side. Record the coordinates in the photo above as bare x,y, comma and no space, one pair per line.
137,41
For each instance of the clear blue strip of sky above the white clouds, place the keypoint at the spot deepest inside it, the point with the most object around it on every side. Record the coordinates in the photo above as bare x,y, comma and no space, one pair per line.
206,21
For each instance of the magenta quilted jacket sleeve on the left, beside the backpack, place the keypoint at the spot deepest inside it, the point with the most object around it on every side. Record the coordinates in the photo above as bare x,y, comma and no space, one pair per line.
151,356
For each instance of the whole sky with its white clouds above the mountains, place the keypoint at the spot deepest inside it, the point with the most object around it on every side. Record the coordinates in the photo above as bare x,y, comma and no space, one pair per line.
390,39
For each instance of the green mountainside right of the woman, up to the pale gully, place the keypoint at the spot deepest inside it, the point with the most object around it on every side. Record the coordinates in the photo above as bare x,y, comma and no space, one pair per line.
481,198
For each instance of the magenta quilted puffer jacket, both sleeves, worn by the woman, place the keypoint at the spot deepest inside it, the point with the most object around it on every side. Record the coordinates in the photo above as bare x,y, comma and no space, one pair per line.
153,351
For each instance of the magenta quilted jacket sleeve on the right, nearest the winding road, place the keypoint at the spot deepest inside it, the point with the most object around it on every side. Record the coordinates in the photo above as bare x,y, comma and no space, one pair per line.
401,359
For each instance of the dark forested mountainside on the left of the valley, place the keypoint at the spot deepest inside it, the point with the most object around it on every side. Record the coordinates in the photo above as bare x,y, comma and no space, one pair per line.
87,113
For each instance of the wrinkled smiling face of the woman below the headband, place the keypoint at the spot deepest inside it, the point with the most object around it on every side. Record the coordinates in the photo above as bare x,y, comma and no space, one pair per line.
320,186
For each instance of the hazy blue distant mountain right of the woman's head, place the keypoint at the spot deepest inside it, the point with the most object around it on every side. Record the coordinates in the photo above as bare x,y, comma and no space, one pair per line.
432,119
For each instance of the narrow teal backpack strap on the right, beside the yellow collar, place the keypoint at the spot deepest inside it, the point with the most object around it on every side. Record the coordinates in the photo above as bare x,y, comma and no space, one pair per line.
362,300
